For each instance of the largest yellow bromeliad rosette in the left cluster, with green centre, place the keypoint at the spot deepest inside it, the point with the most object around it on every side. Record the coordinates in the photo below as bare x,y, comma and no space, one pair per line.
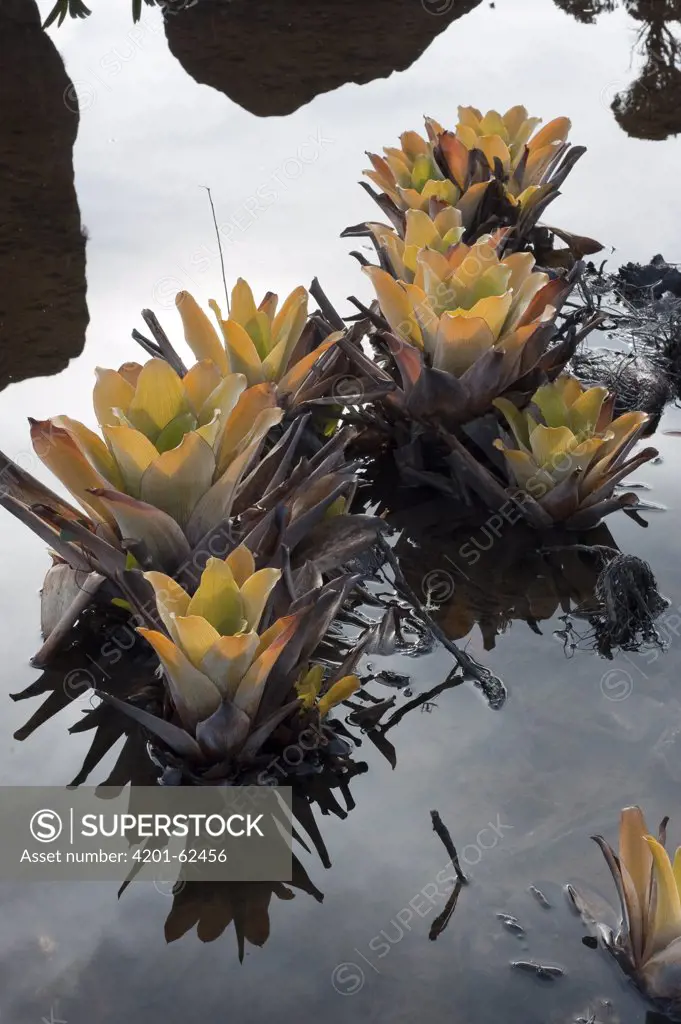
171,444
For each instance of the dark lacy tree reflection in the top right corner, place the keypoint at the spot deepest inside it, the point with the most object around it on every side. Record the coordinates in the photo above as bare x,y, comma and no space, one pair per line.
652,106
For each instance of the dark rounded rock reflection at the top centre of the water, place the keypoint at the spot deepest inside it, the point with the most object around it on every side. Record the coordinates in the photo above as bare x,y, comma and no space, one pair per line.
274,57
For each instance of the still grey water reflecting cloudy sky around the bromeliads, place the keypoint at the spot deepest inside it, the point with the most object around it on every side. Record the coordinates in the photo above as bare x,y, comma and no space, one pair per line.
578,739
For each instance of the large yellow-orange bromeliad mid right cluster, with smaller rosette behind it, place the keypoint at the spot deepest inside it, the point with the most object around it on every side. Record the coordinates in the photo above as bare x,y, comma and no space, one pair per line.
469,324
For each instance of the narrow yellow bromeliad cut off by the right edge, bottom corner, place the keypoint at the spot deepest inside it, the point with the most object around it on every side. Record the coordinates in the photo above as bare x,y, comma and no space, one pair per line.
647,942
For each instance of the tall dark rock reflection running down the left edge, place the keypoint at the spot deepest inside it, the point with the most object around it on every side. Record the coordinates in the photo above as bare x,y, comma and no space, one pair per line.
44,315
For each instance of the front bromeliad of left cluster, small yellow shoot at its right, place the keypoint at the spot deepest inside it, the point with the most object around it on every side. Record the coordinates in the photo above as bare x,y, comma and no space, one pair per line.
232,684
